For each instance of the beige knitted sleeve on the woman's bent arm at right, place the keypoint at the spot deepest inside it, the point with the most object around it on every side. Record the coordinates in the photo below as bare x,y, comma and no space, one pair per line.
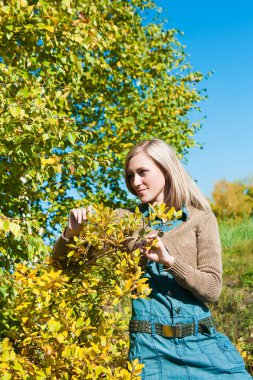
205,281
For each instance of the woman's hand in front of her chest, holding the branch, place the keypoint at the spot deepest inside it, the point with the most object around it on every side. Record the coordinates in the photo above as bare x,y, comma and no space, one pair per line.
157,252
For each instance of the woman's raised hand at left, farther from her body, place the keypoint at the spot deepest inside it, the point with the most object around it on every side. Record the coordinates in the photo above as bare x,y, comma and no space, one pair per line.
75,222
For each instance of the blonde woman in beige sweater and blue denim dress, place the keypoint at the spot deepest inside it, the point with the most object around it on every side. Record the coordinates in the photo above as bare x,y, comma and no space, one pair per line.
172,333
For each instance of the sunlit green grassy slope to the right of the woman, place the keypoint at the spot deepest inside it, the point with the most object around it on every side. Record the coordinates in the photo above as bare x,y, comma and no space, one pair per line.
234,310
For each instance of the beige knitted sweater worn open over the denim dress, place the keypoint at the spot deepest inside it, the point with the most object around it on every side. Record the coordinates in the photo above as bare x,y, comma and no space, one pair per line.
195,245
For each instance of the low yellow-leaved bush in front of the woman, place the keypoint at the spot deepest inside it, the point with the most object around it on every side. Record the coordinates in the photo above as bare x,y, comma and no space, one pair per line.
73,323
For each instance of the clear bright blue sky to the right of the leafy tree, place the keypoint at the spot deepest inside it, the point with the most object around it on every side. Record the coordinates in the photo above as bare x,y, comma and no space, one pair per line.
219,37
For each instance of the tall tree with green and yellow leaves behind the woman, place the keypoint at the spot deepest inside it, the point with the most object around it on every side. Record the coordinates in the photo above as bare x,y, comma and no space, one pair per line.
81,82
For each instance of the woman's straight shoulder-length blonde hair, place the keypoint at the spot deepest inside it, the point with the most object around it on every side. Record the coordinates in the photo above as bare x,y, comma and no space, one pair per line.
182,190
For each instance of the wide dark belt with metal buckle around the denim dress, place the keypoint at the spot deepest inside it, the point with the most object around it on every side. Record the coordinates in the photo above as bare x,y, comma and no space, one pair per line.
173,331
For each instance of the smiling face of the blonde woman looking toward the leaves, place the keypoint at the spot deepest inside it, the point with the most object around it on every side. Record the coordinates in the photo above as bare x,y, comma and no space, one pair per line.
147,179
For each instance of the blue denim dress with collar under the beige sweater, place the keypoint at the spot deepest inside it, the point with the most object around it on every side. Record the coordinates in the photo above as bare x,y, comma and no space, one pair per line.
209,355
